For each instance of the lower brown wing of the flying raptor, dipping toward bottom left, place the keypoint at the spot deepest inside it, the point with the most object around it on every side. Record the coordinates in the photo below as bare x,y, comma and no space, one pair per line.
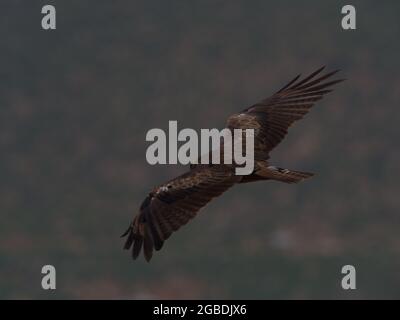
173,204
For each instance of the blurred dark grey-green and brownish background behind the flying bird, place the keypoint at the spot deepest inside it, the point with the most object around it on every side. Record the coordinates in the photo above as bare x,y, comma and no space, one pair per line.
75,106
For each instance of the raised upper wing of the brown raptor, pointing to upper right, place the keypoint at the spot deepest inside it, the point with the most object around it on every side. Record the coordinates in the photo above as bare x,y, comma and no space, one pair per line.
271,117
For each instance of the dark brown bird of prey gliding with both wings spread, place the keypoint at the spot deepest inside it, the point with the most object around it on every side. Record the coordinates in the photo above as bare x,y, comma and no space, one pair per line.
174,203
